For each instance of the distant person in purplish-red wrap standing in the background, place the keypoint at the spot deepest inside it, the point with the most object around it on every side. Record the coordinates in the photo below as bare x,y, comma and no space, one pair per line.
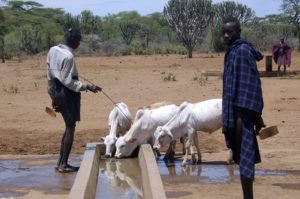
281,54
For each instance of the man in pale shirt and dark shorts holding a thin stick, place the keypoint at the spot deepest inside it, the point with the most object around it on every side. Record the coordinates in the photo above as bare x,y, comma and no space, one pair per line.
64,89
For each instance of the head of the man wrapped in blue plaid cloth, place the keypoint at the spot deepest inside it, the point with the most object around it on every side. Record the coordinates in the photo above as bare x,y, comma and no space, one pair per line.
231,30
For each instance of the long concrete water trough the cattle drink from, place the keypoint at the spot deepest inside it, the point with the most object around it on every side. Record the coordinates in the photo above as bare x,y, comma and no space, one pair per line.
87,184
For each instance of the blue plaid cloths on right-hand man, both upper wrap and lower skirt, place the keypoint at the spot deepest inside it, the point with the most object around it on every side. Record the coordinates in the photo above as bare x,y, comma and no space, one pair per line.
242,88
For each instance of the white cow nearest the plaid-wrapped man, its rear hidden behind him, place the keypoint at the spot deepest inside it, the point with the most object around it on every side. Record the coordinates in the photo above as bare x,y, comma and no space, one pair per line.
204,116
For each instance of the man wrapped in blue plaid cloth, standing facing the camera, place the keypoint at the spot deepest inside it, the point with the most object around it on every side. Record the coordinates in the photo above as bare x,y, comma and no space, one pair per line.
242,102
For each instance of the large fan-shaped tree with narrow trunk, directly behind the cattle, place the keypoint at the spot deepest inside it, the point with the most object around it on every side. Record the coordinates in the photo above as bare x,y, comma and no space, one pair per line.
189,19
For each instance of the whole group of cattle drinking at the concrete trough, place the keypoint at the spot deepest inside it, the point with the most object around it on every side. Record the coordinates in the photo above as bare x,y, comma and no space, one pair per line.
161,124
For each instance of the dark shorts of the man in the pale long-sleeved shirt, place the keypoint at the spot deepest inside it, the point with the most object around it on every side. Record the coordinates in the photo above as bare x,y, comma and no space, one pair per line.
69,103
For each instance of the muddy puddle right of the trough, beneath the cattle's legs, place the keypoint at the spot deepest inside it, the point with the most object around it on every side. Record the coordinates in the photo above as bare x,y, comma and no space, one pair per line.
207,172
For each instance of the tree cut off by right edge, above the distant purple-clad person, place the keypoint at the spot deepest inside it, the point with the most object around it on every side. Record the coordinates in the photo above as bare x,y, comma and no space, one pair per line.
291,9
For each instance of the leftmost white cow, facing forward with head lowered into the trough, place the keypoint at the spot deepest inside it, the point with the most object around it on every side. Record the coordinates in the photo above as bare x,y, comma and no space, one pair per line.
119,121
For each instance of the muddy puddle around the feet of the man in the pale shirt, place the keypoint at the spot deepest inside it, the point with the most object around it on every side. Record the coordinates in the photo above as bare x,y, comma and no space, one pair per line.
38,174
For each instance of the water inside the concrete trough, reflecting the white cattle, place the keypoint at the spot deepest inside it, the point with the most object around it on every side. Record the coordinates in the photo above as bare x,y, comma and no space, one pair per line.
119,178
